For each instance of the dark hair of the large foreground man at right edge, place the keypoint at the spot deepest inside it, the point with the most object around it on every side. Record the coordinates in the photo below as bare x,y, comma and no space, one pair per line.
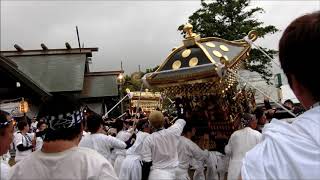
299,50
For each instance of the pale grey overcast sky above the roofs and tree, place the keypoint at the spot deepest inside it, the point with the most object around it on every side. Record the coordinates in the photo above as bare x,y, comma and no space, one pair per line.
135,32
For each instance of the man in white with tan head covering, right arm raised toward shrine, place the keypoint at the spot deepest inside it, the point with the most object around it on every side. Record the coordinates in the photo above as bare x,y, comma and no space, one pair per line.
160,148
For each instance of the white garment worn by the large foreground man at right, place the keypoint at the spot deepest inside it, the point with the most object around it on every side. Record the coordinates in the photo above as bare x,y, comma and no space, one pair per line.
288,151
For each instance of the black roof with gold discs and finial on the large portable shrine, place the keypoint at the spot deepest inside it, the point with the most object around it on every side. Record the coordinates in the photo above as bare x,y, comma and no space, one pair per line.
198,60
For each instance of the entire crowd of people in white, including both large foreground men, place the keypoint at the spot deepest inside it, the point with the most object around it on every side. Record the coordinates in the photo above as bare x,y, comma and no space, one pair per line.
63,142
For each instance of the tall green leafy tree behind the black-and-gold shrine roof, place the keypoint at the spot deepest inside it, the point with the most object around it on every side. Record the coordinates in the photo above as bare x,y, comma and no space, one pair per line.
232,20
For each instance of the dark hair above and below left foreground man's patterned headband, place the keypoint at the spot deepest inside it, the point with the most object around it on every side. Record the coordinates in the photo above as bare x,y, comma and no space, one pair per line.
54,106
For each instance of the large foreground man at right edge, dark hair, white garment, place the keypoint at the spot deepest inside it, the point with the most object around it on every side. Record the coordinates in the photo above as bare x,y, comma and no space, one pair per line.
291,151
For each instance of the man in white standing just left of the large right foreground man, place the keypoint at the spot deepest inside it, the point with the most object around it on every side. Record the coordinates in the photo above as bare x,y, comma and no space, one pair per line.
240,142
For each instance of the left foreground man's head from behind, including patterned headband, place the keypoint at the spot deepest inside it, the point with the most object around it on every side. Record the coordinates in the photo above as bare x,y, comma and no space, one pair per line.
63,116
